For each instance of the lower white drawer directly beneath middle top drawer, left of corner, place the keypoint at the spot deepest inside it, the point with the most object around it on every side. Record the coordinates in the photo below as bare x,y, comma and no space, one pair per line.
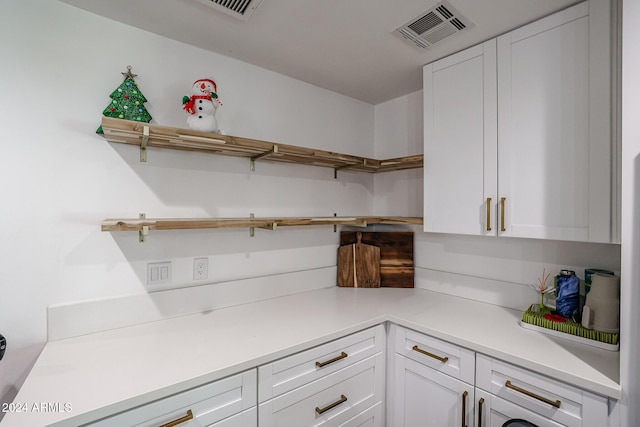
331,400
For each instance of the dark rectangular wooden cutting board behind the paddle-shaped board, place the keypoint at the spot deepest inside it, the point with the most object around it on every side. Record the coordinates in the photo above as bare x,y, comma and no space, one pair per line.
396,255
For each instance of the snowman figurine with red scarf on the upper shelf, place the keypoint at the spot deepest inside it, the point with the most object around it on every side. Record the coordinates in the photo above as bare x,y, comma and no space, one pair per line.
202,106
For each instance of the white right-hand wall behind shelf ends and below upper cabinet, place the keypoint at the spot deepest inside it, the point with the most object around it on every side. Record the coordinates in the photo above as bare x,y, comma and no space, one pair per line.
497,270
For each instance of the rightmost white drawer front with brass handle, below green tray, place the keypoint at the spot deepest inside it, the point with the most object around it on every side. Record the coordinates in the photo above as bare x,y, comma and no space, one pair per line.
555,400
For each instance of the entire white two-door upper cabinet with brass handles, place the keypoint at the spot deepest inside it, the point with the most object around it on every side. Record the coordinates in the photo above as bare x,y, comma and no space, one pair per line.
518,140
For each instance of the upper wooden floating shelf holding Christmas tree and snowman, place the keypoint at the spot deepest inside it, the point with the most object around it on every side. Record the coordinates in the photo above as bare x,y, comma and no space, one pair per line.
147,135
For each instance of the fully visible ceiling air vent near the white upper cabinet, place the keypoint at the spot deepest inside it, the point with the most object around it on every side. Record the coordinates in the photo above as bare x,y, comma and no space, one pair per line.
433,26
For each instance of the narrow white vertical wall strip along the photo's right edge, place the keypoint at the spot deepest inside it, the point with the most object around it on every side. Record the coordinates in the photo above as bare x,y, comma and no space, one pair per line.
630,274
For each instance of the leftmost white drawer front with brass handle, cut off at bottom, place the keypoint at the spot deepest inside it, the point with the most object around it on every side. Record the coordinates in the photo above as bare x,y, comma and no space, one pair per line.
208,404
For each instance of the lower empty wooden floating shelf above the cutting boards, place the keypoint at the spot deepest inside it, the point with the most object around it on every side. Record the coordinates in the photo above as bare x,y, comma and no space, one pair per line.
144,224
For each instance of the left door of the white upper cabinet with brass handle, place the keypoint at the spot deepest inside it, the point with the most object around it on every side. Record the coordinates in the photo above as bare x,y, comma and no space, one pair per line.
460,142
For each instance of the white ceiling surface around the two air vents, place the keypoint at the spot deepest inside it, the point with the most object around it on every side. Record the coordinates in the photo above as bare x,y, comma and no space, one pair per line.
346,46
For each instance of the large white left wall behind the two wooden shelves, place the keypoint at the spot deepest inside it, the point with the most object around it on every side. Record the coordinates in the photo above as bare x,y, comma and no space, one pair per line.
60,180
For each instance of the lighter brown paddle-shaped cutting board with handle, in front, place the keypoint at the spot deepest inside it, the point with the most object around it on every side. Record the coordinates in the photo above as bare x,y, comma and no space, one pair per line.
359,265
